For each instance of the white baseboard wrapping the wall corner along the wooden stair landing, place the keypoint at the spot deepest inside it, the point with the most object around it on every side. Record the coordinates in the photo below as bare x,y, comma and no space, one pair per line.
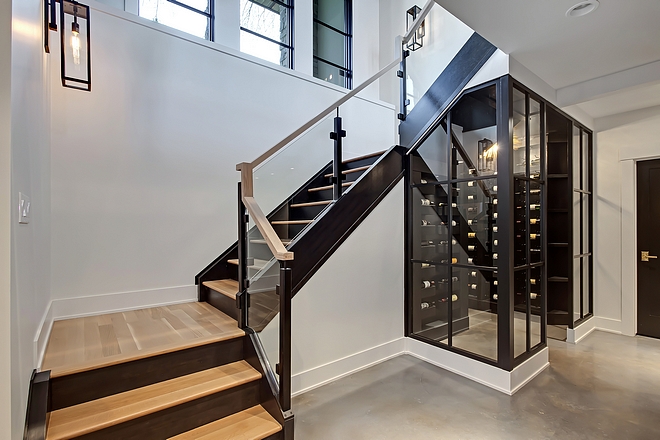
67,308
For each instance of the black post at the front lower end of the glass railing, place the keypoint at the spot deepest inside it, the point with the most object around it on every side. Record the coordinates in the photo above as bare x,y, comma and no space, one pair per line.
284,367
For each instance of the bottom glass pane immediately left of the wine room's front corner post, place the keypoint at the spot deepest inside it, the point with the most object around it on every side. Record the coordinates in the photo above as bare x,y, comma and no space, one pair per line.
474,316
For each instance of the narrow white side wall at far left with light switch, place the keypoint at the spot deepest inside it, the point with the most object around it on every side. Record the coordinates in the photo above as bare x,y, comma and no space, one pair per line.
30,174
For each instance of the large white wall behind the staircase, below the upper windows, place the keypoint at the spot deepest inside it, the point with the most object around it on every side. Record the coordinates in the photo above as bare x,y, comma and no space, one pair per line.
143,167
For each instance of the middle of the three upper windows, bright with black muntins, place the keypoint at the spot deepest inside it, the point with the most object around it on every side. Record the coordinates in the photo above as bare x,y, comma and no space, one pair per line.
266,30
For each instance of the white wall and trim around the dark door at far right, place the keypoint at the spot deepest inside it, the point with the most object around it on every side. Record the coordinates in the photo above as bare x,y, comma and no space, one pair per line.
621,140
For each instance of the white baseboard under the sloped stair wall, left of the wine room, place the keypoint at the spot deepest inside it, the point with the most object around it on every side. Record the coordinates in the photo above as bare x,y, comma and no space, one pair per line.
315,377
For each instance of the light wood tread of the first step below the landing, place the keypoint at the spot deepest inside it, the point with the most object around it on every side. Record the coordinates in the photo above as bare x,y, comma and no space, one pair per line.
193,394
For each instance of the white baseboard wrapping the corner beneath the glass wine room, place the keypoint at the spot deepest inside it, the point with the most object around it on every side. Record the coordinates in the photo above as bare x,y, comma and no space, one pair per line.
507,382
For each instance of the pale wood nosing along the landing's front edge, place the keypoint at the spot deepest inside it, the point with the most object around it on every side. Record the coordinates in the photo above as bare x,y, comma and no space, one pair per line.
141,354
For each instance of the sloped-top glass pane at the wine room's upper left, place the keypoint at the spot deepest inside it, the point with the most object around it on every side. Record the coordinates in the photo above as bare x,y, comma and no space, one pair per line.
429,163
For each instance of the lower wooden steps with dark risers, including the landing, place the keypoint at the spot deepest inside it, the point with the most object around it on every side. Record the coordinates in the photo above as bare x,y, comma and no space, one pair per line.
211,386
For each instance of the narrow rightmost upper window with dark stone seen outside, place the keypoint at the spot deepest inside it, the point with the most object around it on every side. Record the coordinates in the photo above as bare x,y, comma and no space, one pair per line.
333,60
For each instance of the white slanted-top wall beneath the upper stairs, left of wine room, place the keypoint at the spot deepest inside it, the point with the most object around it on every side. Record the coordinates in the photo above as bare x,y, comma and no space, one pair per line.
350,313
